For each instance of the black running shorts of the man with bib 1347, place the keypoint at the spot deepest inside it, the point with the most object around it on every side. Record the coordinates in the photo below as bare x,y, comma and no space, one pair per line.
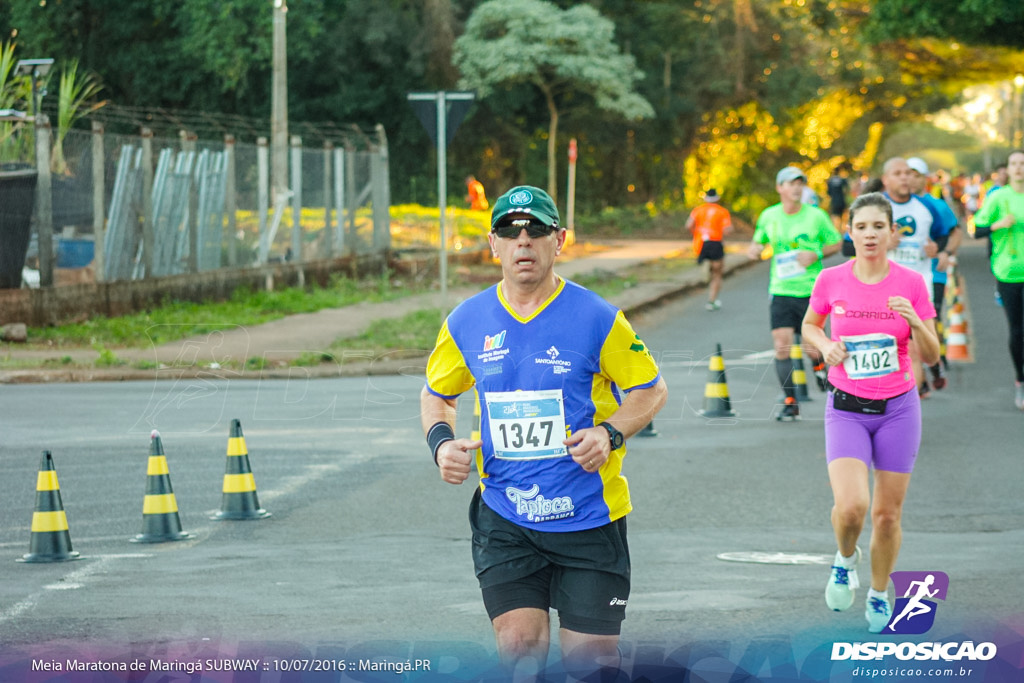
585,576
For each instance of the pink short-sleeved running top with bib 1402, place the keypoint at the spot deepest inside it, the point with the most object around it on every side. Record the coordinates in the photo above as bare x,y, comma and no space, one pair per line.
876,337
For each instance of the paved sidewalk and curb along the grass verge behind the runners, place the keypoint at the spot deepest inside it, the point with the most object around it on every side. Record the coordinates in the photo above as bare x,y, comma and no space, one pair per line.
287,339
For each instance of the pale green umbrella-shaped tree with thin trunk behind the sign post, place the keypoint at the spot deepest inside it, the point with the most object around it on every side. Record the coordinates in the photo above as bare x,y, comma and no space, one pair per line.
564,54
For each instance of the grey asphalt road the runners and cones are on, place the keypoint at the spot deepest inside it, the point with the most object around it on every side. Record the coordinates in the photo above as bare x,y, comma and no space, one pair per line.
367,553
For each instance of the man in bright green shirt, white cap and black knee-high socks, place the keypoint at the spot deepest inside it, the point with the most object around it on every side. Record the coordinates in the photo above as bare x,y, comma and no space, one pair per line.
800,237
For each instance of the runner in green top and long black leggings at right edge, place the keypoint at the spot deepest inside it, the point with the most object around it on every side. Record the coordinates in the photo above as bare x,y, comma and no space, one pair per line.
1002,218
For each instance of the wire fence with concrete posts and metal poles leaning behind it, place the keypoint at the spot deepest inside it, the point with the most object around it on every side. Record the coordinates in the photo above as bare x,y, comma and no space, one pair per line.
173,206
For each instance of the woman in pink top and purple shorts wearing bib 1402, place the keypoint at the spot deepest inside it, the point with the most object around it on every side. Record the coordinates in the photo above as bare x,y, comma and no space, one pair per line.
873,416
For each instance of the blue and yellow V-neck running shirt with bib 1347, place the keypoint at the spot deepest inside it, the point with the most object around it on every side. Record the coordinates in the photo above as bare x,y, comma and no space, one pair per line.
540,379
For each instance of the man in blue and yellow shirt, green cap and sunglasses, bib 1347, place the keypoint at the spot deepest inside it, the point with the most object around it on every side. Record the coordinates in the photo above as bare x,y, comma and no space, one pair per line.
563,381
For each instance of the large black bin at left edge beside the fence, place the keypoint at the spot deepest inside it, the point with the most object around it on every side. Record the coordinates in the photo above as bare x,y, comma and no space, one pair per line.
18,198
